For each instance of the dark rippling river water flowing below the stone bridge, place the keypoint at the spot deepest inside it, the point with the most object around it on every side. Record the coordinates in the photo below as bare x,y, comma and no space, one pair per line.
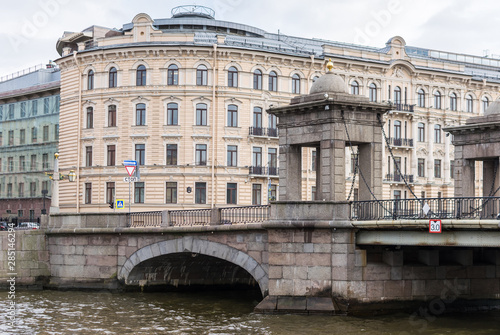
55,312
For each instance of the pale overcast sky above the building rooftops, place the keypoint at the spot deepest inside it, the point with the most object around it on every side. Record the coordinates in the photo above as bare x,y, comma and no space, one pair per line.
29,29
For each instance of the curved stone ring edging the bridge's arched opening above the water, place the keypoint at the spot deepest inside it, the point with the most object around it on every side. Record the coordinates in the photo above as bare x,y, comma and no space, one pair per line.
197,246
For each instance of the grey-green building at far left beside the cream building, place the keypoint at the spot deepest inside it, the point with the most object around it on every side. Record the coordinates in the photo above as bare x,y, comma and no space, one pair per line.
29,134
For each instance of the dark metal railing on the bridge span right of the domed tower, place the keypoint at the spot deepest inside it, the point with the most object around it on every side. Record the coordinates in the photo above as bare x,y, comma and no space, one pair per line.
439,208
